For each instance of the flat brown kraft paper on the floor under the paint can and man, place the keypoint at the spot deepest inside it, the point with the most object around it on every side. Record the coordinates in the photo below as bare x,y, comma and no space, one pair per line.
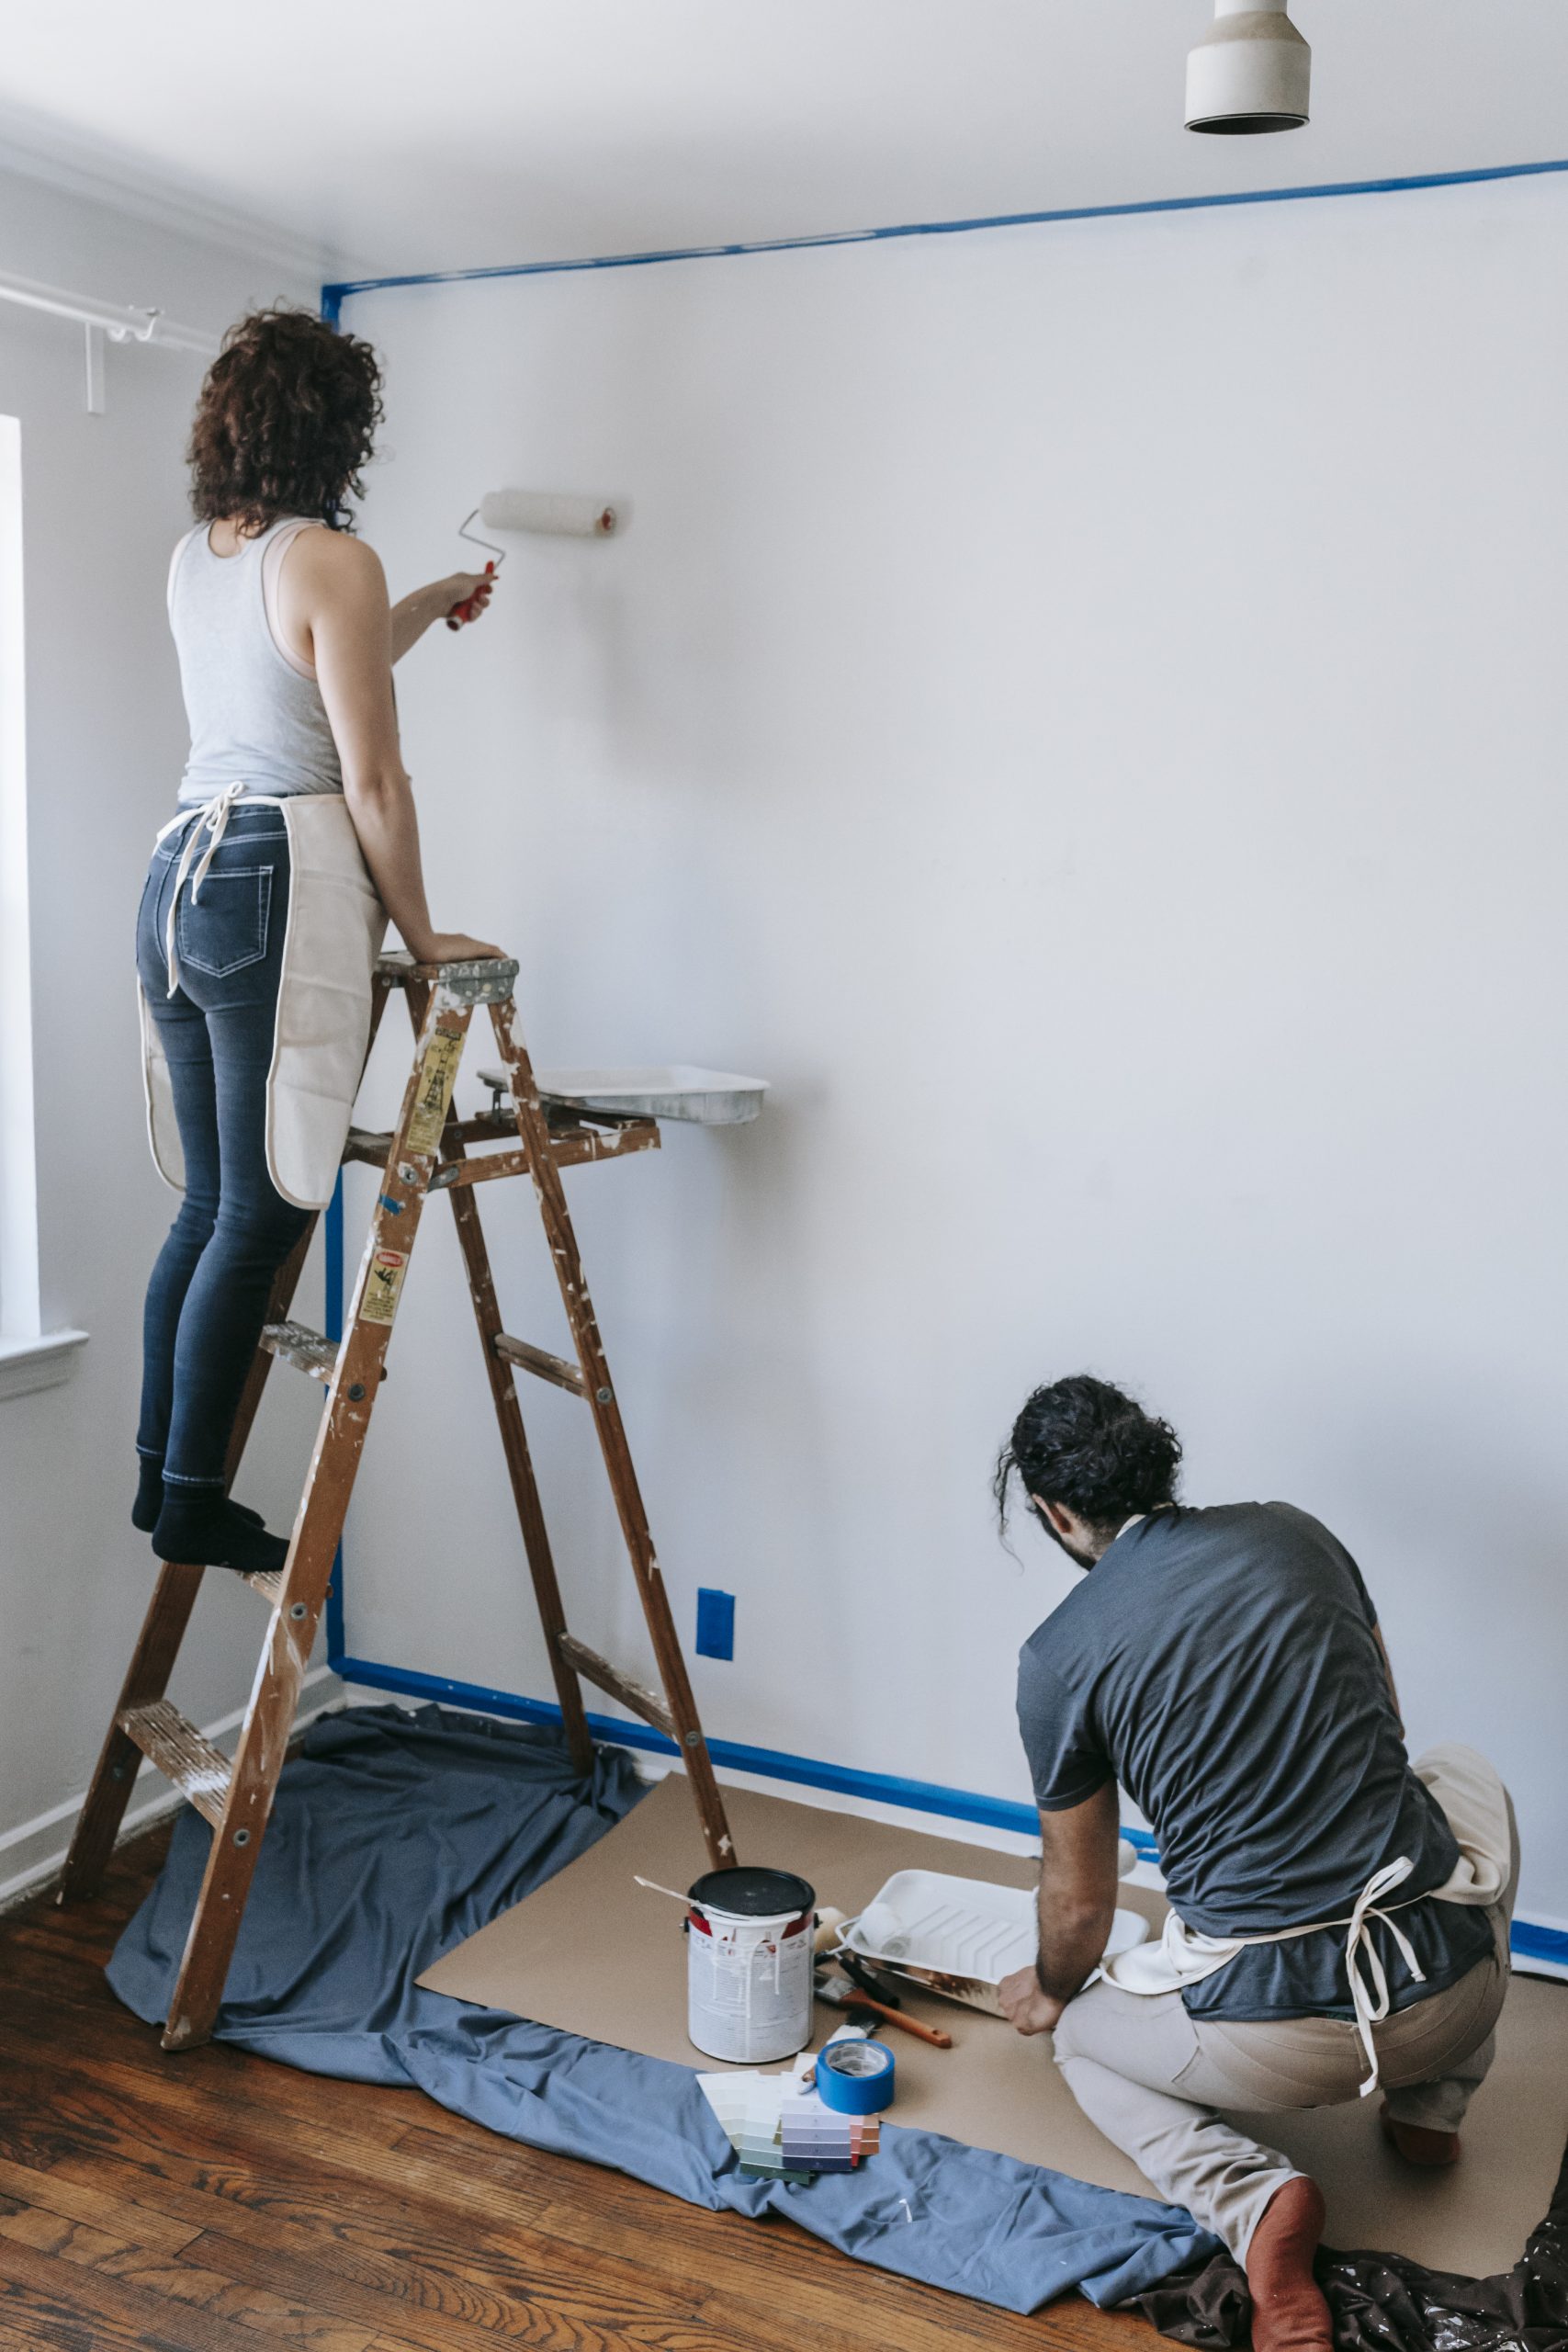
594,1953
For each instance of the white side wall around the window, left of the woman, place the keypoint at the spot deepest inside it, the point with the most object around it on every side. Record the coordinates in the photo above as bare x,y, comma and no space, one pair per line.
105,497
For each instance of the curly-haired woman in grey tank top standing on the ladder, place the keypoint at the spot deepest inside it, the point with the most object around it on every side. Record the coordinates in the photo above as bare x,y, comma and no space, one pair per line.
272,888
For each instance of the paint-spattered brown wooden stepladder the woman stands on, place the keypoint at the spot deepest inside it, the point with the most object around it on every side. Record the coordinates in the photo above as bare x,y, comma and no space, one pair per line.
429,1151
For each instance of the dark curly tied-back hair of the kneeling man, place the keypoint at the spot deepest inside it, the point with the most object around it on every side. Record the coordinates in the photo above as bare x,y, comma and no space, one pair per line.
1085,1445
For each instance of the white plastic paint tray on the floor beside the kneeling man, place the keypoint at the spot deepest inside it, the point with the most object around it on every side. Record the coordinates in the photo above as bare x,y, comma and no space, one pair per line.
960,1937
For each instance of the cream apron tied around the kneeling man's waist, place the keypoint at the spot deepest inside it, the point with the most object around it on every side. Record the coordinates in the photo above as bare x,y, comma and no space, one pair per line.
1475,1805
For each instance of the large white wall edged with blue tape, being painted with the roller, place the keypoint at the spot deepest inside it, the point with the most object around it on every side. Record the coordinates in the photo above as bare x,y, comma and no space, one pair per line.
1080,709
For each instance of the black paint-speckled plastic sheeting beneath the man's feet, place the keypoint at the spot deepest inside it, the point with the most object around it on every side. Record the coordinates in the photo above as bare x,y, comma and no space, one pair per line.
1383,2304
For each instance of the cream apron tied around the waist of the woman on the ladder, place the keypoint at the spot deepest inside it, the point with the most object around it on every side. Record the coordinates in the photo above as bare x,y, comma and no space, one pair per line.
330,951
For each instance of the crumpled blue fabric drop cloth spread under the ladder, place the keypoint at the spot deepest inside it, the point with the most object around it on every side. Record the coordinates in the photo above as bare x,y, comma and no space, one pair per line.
398,1836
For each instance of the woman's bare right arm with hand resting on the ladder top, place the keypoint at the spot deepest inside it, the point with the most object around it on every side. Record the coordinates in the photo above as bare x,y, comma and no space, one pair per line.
333,592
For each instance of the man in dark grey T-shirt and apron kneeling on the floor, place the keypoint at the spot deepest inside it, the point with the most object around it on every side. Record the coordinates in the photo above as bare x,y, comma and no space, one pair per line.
1339,1916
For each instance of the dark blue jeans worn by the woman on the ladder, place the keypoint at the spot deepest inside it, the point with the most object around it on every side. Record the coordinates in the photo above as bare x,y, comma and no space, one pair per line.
215,1274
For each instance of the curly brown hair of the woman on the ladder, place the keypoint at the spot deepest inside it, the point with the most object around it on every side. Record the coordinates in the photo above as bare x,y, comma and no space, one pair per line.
286,422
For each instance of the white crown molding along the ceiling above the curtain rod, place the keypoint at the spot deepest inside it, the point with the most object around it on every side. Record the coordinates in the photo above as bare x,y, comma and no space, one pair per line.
46,152
